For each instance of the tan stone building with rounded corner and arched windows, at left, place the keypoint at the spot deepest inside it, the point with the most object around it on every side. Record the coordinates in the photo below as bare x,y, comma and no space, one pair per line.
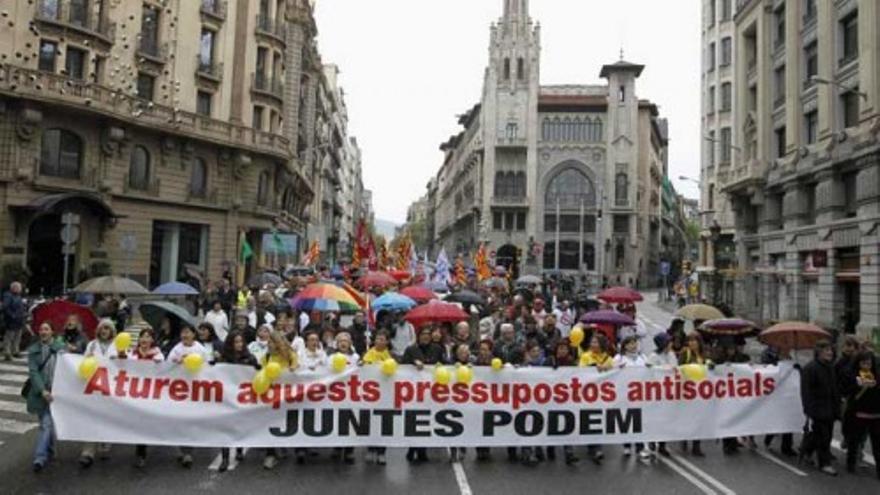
168,127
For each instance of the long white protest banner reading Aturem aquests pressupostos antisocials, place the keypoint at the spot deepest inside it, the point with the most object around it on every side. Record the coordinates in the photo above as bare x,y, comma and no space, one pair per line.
162,404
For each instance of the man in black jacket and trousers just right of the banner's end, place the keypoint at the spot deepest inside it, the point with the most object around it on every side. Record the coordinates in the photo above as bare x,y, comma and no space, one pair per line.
821,401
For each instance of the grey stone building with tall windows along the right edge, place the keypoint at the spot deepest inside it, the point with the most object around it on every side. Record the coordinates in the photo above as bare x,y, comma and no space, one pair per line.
806,190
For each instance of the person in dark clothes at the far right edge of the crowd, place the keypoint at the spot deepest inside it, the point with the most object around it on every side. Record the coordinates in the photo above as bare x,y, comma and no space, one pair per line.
863,400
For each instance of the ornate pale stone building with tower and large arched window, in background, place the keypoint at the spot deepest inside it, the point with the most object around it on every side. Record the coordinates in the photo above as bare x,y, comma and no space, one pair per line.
553,177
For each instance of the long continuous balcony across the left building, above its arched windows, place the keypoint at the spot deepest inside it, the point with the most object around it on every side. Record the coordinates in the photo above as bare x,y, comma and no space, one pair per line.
49,88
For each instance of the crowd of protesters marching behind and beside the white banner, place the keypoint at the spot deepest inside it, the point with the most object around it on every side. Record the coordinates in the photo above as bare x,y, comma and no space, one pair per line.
529,327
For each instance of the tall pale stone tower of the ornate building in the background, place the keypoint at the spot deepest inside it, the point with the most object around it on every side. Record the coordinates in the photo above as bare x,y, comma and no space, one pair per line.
509,123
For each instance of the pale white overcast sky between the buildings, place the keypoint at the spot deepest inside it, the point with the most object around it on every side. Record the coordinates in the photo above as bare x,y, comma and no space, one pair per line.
410,66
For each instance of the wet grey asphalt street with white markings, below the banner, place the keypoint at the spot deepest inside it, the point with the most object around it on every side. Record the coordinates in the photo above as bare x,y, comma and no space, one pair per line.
758,471
